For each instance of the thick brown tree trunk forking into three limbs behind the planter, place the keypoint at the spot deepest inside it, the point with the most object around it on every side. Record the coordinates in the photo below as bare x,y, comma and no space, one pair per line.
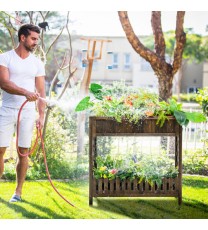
164,70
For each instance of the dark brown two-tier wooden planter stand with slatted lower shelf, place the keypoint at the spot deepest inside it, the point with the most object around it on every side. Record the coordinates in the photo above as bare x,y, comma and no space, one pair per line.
103,187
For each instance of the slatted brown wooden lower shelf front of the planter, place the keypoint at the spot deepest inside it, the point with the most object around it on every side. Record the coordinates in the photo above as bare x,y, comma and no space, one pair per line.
117,187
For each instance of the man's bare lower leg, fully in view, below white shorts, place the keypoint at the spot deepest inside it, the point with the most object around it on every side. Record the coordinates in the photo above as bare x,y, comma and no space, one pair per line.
21,170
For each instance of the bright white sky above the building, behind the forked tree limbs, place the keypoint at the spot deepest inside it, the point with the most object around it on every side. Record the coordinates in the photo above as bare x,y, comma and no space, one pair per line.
106,23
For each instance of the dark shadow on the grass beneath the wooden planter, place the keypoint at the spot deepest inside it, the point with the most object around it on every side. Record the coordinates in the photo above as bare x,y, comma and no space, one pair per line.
153,208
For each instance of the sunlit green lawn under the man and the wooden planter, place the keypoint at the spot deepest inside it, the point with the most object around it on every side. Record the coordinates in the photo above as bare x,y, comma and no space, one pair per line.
40,201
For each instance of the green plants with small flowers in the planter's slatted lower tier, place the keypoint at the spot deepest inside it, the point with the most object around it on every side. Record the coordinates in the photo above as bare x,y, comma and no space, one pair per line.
144,167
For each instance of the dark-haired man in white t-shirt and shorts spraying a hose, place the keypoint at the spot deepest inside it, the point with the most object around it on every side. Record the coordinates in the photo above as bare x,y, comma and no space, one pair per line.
22,77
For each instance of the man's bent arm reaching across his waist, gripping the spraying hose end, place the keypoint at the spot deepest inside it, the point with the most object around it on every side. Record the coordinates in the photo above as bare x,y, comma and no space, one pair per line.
12,88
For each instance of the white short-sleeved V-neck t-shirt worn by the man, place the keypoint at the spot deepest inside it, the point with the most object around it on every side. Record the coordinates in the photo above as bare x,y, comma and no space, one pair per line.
23,73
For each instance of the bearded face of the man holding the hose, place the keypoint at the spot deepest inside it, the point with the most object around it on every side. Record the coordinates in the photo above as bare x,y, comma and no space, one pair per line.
30,42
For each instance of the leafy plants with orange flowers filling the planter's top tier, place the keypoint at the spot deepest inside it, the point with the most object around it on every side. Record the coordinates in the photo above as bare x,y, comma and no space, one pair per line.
135,106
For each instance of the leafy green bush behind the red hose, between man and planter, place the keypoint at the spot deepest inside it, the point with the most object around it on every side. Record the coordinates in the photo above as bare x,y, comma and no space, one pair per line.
57,146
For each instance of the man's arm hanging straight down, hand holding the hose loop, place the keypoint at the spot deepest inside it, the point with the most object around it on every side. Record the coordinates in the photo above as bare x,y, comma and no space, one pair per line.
40,87
